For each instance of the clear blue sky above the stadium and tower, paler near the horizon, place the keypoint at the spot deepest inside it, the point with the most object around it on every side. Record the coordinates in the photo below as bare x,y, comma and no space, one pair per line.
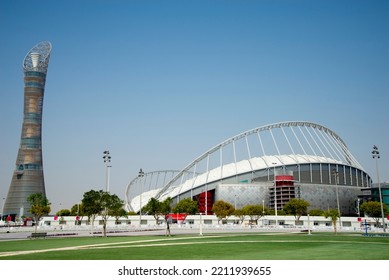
157,83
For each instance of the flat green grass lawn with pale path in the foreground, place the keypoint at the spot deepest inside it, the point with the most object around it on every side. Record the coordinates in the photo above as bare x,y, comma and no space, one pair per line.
258,246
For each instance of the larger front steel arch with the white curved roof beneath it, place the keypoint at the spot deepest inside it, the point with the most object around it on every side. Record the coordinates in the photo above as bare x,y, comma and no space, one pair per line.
310,143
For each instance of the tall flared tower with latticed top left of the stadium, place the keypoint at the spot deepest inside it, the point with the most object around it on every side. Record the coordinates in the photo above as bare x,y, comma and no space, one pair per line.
28,174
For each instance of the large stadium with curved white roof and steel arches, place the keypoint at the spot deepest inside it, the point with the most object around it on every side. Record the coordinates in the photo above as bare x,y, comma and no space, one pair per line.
267,165
